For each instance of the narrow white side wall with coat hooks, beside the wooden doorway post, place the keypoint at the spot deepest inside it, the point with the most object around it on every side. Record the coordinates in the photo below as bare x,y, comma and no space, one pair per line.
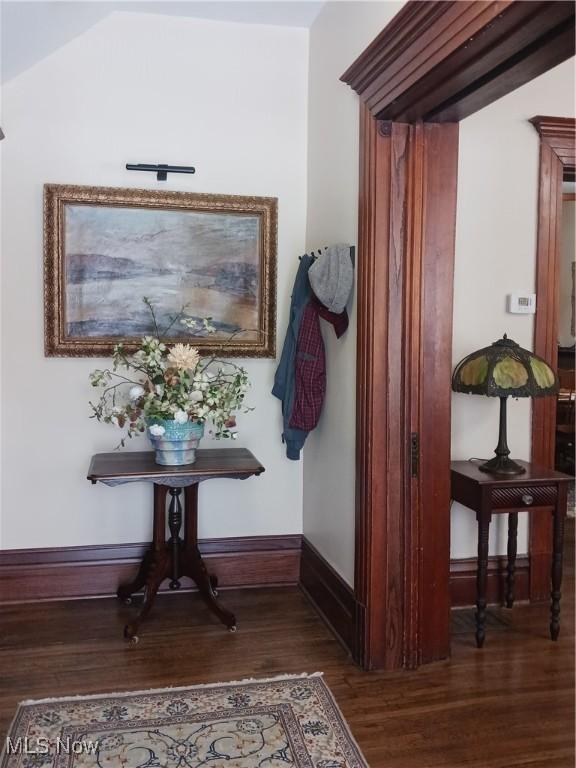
340,33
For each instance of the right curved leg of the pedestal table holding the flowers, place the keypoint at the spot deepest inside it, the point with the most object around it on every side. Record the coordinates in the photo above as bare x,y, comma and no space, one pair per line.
193,565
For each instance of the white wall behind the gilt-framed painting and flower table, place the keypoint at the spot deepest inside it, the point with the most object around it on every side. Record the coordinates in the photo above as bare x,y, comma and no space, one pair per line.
230,99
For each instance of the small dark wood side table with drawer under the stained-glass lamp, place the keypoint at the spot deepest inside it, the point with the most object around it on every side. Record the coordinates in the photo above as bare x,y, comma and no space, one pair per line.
540,490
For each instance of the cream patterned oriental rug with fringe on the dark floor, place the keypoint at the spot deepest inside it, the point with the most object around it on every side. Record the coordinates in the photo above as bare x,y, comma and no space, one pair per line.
278,723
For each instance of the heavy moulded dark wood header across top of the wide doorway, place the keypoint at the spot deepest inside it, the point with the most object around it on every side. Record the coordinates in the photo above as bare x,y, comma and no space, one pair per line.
442,61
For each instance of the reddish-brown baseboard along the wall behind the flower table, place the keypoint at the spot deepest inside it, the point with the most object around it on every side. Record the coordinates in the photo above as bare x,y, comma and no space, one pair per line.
96,571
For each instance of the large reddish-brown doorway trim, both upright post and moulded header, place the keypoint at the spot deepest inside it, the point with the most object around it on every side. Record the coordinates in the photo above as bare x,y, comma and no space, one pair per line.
435,62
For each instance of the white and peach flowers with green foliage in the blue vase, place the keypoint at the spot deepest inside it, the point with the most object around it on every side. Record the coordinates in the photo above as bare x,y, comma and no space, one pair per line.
160,382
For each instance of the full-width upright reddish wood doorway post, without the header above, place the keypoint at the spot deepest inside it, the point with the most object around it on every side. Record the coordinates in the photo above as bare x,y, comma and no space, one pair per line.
406,251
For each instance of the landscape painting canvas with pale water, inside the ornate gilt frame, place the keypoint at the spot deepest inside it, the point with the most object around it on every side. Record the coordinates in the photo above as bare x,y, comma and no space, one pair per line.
206,262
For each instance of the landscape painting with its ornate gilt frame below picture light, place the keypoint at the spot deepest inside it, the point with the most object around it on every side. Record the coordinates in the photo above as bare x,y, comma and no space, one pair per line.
191,256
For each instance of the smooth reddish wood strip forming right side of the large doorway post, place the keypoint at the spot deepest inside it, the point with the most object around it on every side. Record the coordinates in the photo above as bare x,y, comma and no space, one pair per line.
438,179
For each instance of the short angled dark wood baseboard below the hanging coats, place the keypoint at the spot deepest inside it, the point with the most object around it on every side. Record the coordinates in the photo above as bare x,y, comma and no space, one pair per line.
332,597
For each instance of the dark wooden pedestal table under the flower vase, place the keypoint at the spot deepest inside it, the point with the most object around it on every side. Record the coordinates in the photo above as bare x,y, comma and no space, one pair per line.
173,558
